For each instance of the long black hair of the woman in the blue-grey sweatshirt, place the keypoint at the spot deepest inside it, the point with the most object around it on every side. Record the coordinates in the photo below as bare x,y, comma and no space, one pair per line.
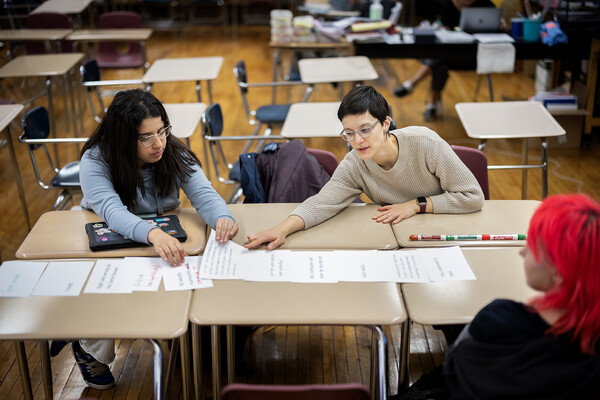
117,139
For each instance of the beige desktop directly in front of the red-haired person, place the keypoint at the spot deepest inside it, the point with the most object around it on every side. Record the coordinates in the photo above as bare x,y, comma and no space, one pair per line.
499,273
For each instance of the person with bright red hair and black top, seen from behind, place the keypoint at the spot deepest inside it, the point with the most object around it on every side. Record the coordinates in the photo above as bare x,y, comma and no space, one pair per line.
548,348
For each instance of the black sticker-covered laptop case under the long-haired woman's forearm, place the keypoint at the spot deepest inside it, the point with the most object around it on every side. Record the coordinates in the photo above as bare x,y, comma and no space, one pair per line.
101,237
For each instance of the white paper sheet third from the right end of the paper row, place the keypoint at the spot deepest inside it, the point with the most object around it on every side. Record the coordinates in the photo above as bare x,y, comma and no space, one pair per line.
362,266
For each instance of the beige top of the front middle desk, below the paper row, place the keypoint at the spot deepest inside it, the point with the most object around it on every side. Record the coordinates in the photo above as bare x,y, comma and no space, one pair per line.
265,303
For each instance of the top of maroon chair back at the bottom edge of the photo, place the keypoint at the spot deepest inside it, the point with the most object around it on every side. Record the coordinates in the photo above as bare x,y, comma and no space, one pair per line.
342,391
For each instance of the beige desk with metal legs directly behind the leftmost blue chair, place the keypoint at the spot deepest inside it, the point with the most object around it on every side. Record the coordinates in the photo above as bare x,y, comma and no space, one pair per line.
46,66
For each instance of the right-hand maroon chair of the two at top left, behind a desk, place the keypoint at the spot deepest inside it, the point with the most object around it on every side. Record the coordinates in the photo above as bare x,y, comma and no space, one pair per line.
121,54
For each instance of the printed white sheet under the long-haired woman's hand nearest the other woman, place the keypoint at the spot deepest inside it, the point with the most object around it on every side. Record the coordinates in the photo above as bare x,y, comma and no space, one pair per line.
221,260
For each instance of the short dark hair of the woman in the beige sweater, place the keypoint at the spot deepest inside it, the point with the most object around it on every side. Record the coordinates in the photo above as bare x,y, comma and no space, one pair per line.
361,99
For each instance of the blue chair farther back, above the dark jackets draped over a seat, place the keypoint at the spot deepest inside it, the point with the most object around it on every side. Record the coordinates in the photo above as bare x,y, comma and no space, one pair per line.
268,115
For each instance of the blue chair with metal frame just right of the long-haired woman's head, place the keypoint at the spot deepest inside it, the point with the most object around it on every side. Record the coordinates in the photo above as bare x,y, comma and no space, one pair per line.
212,133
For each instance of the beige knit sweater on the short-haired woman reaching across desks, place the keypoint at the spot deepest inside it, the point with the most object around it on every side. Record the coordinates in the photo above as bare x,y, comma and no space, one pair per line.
426,166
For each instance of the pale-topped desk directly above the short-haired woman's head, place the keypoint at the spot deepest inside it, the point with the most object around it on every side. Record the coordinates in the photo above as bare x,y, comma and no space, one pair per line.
335,70
